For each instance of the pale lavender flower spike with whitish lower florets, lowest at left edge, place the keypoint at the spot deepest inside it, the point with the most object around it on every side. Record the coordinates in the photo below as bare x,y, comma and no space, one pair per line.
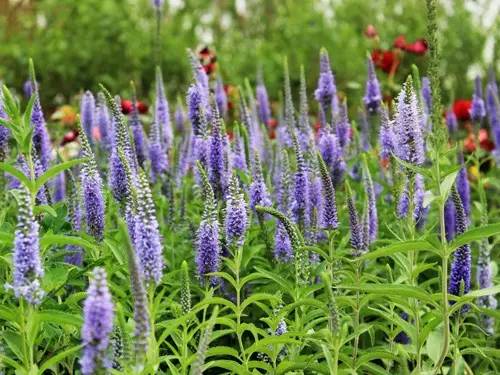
26,260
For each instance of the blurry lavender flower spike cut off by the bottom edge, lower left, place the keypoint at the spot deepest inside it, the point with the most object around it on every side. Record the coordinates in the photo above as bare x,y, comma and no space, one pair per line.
97,325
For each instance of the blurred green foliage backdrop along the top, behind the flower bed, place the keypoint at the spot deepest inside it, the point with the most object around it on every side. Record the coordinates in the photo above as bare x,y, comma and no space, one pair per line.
77,44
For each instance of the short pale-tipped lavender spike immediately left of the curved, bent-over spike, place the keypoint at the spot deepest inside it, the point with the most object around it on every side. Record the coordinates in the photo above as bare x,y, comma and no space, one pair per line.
236,214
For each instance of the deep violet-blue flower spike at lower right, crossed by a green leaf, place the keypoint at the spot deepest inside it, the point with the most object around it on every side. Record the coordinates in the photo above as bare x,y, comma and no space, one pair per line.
460,273
